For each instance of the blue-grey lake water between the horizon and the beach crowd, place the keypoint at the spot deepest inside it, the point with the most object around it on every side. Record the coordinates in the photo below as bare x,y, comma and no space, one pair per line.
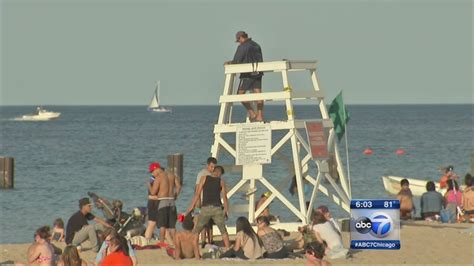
107,149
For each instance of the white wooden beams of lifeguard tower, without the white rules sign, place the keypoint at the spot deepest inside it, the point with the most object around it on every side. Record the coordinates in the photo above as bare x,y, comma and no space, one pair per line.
253,173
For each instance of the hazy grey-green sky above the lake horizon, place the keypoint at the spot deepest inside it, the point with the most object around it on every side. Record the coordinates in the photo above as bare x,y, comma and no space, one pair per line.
104,52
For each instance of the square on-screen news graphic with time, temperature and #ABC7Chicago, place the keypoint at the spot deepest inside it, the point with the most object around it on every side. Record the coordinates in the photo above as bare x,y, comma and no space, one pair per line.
375,224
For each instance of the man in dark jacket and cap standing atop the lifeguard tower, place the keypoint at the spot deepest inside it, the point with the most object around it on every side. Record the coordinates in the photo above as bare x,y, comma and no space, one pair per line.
249,51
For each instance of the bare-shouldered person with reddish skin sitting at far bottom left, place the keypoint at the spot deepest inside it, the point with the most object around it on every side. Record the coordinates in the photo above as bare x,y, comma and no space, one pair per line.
41,252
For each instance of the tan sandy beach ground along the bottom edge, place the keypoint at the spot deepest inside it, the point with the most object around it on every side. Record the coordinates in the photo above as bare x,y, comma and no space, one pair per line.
422,243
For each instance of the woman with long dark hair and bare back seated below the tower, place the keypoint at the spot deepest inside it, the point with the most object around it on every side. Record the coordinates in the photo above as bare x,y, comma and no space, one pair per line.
247,243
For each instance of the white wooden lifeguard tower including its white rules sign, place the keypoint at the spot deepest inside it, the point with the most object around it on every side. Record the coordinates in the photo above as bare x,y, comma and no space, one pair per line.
302,159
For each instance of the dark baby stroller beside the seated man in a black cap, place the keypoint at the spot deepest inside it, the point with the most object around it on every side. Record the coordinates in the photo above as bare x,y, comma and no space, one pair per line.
127,225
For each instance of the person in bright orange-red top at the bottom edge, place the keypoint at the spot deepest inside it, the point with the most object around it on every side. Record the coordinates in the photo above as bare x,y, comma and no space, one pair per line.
117,253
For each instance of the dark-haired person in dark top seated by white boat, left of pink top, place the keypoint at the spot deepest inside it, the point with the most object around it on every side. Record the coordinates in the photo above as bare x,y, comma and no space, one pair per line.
431,202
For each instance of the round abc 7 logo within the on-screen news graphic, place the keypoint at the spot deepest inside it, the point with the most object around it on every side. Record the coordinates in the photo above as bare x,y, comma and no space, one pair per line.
379,225
